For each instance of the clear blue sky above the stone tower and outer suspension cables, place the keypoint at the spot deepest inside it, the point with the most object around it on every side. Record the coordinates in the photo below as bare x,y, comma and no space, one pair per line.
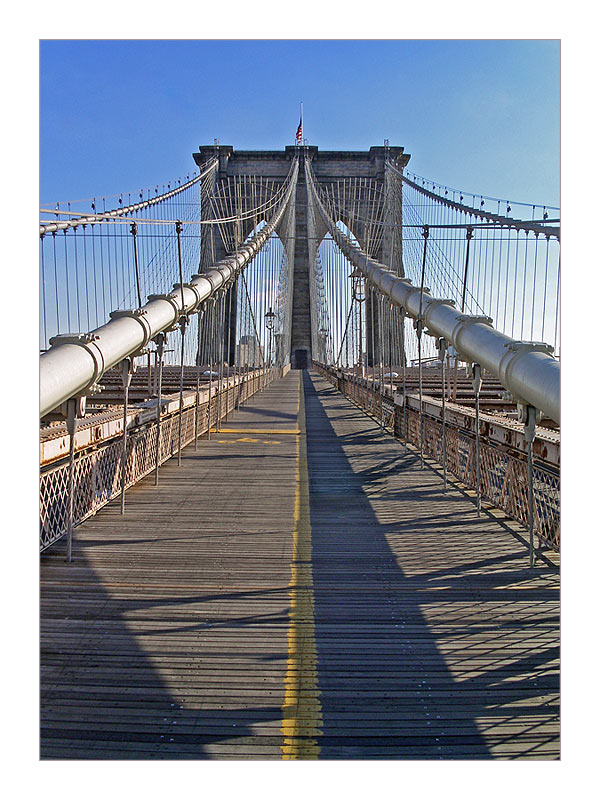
482,116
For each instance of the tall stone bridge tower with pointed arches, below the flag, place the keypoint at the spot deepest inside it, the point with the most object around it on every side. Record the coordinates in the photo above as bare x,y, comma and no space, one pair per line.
361,174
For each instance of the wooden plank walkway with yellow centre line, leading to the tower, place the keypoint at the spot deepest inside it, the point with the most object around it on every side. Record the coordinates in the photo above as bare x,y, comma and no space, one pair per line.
285,595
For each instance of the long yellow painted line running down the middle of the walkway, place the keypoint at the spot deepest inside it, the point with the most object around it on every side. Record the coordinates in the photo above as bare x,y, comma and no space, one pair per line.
302,718
